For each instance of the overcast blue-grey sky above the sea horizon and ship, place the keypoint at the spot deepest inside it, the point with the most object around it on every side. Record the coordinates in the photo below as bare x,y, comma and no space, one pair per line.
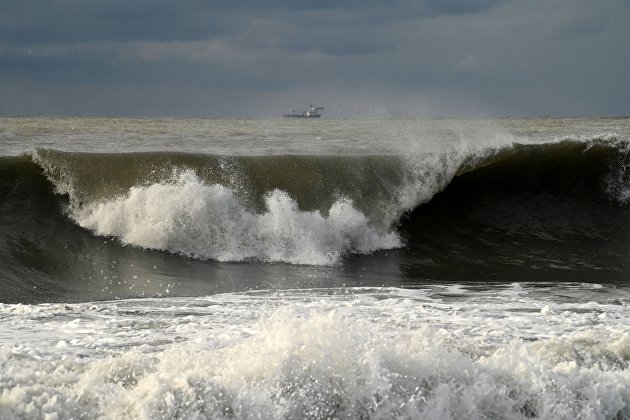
358,58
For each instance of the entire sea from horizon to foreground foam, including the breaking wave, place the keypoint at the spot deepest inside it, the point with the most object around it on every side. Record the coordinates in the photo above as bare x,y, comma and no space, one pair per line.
294,269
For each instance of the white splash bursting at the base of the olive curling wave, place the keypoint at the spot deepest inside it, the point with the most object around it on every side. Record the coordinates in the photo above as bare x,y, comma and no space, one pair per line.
185,216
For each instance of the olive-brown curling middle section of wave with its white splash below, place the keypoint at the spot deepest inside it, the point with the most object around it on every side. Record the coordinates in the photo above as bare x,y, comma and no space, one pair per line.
294,209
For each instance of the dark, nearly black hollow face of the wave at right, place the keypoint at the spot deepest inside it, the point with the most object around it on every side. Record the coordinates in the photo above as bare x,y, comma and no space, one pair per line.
556,209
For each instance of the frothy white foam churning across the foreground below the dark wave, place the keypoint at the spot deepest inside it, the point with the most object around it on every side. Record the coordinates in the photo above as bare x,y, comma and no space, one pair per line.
440,352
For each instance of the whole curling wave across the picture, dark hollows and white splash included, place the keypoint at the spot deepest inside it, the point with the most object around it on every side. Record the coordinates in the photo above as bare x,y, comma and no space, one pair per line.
556,207
